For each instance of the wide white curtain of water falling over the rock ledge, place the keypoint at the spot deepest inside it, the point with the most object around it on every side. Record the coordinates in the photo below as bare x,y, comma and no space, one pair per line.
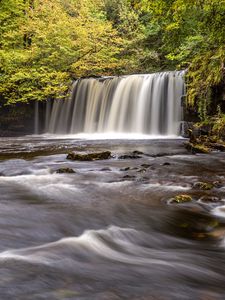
138,104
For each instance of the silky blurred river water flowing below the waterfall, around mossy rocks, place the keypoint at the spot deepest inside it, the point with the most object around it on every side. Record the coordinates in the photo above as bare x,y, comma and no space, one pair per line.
108,231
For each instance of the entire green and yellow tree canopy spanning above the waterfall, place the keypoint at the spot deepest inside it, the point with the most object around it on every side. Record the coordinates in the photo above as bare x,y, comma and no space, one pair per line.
46,44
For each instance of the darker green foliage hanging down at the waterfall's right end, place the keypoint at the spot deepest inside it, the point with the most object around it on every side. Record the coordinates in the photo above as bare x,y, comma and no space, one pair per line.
193,38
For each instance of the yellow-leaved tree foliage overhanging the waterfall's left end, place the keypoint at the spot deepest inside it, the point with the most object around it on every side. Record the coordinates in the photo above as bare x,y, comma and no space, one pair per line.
44,44
